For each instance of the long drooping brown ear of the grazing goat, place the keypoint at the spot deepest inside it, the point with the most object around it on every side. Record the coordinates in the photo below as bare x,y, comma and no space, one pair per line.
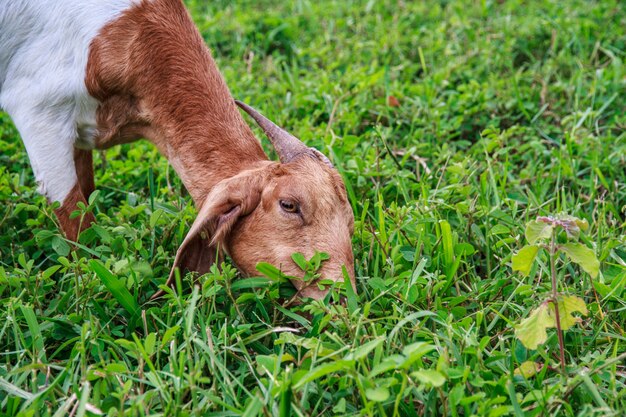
224,205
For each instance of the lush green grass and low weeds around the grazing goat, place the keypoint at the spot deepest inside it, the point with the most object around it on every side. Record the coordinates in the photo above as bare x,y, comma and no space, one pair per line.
507,111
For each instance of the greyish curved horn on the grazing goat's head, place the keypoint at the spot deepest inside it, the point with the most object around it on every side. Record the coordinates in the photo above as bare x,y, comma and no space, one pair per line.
288,147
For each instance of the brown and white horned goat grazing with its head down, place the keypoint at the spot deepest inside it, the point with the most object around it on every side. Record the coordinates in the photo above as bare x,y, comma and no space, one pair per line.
77,75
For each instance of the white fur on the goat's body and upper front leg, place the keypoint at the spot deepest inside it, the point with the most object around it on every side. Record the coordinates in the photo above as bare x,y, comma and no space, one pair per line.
44,46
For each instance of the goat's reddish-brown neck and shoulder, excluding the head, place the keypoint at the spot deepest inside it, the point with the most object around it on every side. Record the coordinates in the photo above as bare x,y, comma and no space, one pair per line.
160,82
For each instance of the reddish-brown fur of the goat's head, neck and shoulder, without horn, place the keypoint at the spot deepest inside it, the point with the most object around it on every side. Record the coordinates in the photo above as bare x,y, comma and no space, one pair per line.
155,78
